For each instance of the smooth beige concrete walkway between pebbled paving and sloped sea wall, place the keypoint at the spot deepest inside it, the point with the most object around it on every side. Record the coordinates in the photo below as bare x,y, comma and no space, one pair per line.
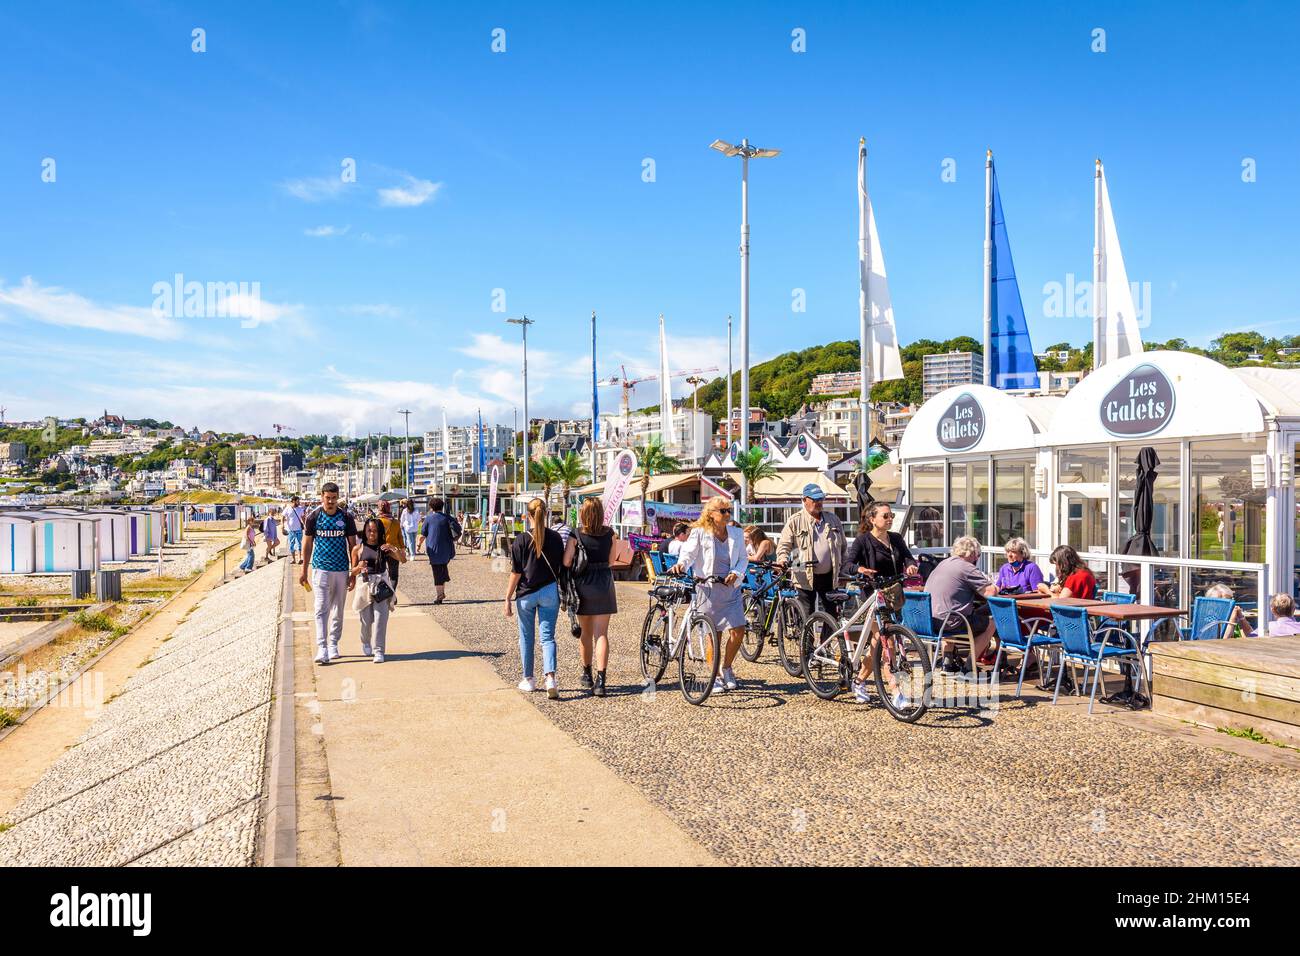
435,760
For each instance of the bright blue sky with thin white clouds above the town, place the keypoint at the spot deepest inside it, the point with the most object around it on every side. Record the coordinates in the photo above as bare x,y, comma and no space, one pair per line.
525,172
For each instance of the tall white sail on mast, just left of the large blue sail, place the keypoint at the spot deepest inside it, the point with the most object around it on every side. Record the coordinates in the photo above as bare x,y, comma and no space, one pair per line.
879,357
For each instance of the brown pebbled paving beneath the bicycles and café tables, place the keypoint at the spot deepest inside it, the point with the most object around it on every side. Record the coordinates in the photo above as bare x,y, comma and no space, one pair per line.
770,775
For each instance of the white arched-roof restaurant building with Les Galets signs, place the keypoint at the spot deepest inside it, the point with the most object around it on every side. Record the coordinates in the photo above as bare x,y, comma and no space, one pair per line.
1056,471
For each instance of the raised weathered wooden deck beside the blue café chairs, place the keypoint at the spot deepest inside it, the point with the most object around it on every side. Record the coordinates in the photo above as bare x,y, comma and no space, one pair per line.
1250,682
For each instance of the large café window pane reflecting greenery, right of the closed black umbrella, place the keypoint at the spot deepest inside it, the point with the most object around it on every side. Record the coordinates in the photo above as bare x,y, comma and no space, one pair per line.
1230,512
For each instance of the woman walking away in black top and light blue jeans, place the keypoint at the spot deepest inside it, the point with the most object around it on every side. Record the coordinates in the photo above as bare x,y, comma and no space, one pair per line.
535,560
